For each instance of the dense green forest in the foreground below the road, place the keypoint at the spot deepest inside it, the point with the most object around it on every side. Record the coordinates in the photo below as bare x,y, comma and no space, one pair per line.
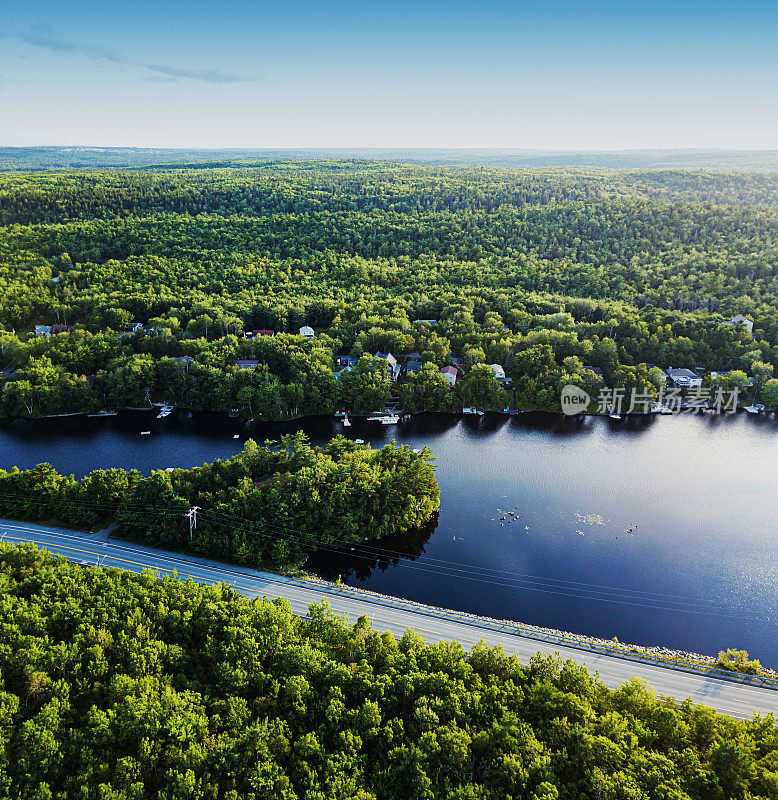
123,687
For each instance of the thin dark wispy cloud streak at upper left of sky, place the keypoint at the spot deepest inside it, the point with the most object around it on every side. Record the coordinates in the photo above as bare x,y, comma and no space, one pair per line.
42,36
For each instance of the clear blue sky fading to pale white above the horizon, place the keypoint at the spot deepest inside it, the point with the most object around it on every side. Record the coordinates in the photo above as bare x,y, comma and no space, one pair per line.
549,74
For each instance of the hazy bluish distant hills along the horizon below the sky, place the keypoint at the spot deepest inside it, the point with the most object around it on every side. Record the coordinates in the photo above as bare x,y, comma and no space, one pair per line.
45,158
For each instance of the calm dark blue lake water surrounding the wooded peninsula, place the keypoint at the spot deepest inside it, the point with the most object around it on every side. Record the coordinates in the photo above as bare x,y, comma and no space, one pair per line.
699,569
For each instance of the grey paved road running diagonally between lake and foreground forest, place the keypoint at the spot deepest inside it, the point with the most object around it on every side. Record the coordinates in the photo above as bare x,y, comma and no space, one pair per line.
737,700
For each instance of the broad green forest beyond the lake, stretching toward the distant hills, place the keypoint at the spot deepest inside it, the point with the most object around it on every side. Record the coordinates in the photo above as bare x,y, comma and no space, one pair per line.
541,271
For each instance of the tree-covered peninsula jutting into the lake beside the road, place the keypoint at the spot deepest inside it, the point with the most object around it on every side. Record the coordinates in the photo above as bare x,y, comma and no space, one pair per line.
265,506
